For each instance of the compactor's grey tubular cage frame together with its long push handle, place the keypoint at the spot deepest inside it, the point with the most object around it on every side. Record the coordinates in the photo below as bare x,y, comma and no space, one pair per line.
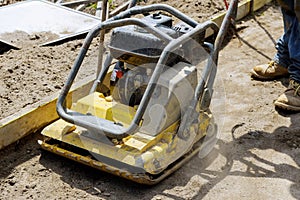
110,129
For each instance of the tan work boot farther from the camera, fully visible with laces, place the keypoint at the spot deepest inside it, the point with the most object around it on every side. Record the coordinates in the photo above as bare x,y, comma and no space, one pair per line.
269,71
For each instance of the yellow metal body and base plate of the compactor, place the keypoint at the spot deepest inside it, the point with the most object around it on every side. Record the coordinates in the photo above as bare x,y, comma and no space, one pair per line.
143,155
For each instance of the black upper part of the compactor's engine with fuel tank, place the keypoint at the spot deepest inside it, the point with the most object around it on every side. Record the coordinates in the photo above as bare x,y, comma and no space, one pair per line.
134,45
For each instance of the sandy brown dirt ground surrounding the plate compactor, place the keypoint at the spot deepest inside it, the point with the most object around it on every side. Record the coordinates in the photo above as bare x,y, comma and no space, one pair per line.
257,155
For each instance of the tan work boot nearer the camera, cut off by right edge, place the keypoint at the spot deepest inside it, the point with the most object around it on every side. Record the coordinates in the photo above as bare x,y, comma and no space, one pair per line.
290,99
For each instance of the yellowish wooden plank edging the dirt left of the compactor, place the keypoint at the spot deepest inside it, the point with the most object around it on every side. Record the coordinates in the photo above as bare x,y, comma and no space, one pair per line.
38,115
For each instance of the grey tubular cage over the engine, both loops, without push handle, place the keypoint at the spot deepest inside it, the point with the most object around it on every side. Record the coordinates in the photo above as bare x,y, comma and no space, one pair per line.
108,127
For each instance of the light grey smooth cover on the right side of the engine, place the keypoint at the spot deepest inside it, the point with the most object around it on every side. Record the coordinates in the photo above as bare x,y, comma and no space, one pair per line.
170,99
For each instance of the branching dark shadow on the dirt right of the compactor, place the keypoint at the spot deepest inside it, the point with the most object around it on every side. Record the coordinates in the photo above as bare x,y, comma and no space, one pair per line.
284,140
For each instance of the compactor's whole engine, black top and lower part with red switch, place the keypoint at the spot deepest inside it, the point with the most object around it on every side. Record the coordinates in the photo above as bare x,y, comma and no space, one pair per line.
138,51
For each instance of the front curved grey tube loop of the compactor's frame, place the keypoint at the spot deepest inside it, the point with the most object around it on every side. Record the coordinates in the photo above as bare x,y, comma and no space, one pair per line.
108,127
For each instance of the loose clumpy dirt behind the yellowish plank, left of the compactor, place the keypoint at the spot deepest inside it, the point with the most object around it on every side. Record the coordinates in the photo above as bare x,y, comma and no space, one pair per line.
34,72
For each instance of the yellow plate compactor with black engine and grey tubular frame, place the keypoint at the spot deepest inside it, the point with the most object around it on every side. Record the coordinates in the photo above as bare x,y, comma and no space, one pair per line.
147,112
